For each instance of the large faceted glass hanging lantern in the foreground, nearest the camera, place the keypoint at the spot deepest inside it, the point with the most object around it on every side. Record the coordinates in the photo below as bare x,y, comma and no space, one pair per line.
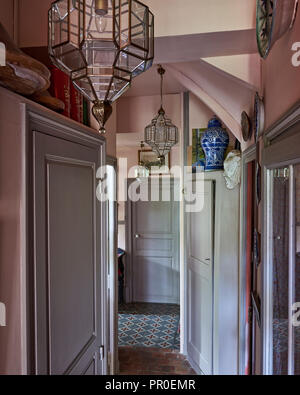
101,45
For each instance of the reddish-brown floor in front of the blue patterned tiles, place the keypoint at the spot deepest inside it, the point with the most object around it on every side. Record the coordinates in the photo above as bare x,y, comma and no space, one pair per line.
138,361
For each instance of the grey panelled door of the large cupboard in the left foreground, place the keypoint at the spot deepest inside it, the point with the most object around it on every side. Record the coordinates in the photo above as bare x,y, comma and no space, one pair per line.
67,260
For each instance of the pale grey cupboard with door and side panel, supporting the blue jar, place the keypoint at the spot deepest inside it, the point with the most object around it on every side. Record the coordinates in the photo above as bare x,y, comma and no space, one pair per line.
212,278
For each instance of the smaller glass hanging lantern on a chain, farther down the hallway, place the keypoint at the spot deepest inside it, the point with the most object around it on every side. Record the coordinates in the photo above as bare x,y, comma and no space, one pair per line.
161,134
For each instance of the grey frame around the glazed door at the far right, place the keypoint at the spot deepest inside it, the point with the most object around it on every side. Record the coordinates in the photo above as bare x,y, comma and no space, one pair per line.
281,149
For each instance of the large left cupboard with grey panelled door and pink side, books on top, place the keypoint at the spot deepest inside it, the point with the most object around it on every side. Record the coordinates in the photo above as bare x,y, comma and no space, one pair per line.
53,243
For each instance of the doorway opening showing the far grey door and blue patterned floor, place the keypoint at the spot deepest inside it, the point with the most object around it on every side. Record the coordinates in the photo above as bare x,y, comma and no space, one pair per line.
148,268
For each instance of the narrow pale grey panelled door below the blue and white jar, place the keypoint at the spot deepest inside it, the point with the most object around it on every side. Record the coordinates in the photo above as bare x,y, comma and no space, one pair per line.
200,282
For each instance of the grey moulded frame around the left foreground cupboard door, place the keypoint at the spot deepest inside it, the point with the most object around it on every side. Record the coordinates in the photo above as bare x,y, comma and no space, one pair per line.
36,118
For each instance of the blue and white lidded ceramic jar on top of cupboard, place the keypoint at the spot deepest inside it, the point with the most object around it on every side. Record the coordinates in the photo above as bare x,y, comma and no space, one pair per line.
214,142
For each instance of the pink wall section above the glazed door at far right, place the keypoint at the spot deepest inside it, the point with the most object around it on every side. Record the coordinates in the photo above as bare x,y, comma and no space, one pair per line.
281,80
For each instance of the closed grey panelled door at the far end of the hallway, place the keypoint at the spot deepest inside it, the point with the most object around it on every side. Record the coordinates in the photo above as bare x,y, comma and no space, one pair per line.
155,251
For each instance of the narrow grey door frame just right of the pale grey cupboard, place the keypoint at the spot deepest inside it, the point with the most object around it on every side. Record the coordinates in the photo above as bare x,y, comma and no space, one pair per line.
248,156
